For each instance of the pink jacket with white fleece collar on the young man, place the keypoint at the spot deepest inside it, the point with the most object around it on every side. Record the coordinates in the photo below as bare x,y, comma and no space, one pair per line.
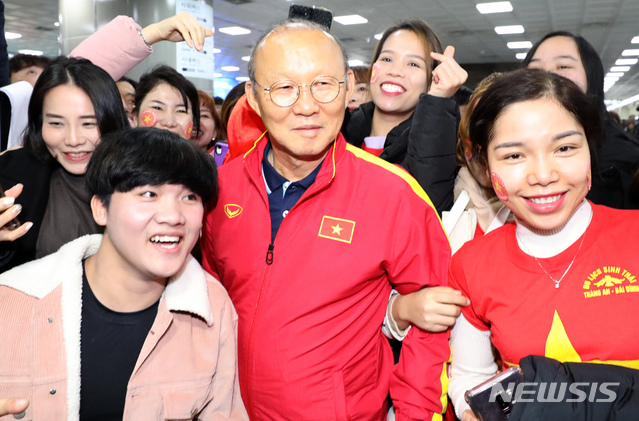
187,368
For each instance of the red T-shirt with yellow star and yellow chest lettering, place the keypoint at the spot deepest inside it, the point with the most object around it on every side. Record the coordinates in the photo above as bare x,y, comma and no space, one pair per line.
512,297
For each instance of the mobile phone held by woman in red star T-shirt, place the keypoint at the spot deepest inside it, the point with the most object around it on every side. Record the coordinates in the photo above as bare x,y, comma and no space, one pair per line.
493,399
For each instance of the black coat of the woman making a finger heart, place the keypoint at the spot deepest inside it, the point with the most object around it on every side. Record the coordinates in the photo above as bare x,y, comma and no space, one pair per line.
424,144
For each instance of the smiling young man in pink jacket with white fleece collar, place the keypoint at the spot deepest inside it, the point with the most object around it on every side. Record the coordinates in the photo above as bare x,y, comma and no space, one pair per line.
127,325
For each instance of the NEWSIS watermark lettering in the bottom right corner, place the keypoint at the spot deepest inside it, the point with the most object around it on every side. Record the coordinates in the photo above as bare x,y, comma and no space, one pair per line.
554,392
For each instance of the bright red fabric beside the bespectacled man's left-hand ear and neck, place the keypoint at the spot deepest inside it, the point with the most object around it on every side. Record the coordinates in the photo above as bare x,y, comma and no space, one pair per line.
243,128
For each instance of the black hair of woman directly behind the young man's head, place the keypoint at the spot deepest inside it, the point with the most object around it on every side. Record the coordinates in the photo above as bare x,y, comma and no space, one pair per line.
170,76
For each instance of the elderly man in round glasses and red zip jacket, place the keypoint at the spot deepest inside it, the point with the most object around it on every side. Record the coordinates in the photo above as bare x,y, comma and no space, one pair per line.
309,236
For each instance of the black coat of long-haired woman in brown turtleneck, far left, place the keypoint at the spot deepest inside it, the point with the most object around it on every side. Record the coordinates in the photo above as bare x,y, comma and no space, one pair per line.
22,166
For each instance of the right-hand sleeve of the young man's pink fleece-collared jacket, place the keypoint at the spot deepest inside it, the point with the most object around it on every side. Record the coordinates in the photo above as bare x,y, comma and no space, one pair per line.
226,403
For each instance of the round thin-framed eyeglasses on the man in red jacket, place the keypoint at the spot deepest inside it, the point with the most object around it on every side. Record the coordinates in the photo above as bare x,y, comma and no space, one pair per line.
285,93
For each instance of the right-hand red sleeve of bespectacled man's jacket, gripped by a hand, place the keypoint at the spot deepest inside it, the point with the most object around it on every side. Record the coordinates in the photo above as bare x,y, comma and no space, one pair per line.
421,255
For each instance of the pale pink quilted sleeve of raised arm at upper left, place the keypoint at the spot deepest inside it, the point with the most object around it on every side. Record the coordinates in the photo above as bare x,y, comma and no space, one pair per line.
117,47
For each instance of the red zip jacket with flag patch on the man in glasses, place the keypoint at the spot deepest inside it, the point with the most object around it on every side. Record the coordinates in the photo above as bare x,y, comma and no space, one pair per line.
310,345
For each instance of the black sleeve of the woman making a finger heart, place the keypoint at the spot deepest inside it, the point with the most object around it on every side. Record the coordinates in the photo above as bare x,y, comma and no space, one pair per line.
430,156
